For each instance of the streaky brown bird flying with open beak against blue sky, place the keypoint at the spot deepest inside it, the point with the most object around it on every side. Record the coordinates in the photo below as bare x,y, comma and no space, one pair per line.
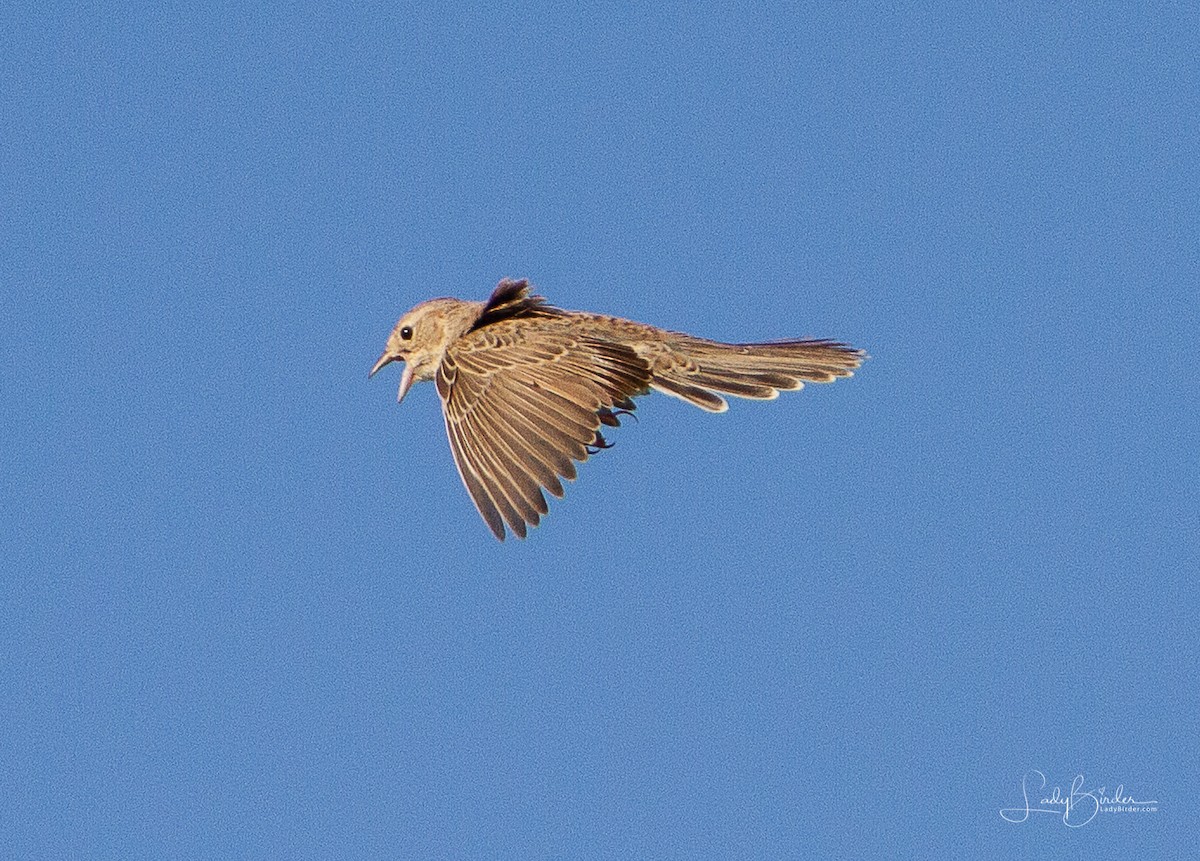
526,387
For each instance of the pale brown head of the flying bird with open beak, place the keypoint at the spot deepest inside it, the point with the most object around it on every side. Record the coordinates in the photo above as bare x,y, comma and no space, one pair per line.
423,336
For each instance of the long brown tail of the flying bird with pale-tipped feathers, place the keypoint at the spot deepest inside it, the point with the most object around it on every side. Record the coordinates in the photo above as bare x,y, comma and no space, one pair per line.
711,370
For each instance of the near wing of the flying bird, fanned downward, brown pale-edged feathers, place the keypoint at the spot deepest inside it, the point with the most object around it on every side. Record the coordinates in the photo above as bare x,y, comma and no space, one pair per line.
521,402
